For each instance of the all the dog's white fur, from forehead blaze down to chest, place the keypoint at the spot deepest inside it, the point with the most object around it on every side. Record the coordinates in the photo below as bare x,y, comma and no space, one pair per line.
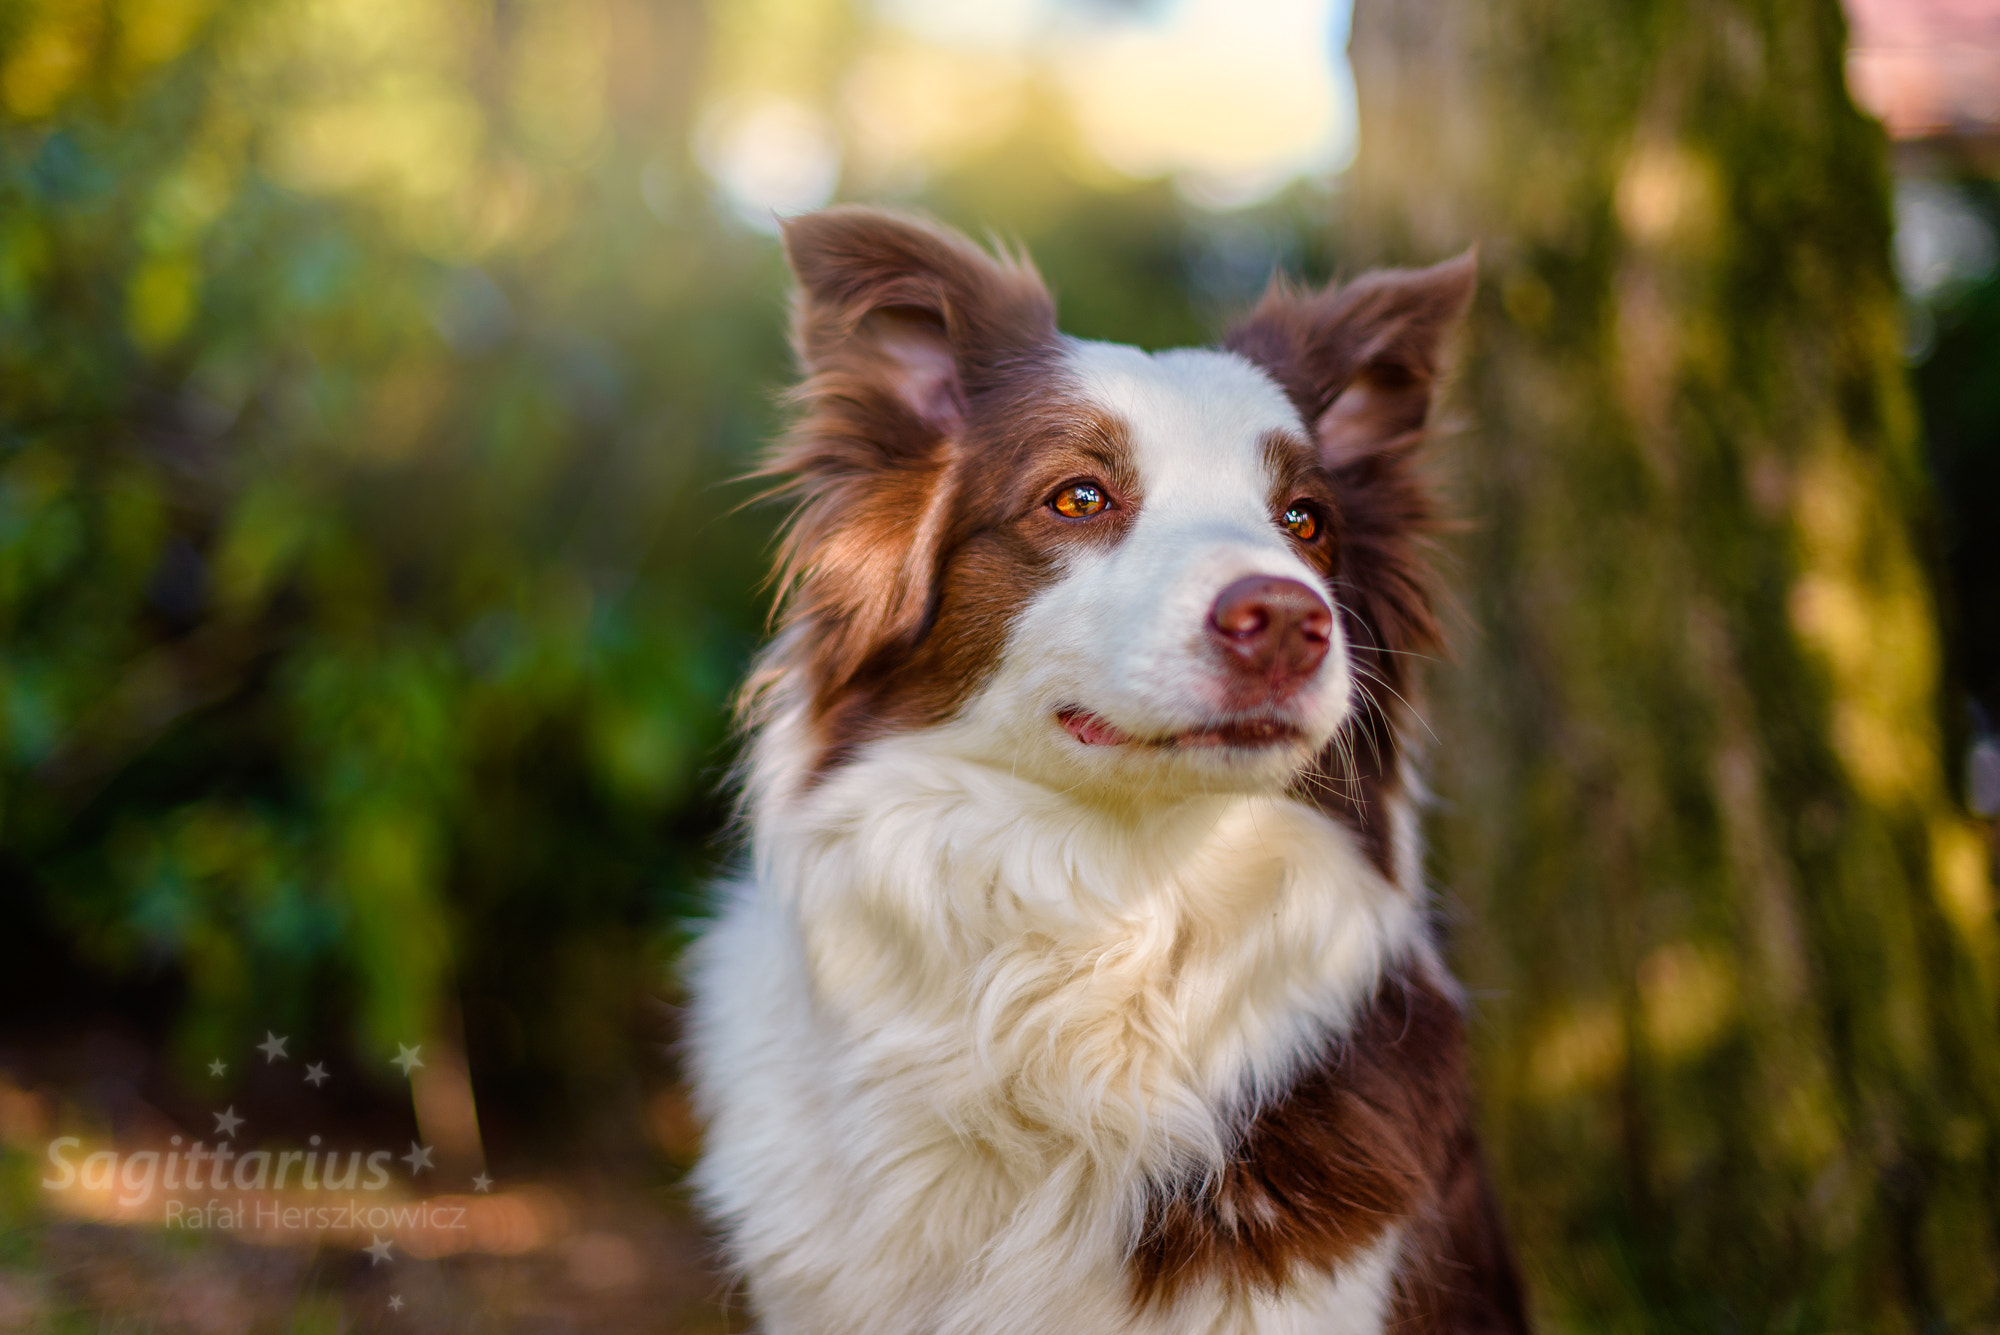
983,982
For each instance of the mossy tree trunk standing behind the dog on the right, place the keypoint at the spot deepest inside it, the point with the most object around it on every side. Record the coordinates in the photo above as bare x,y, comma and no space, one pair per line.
1729,934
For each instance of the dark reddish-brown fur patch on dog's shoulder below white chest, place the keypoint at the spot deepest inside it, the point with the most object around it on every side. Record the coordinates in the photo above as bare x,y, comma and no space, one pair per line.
1377,1134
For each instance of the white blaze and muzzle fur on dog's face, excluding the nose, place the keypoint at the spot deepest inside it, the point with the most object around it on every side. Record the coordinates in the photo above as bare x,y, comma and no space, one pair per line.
1123,633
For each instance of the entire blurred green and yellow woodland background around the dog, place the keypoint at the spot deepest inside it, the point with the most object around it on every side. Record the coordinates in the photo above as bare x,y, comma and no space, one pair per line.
375,381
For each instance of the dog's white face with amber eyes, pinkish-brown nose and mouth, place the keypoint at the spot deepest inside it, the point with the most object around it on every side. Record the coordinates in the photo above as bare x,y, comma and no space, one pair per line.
1185,627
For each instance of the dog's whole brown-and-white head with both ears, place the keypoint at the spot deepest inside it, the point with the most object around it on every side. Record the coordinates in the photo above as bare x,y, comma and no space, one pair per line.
1107,569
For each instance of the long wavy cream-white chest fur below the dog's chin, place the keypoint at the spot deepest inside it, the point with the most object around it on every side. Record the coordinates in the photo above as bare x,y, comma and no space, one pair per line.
989,1054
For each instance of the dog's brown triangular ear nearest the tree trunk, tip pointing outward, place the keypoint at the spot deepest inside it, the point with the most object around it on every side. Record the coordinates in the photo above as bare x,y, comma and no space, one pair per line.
1361,361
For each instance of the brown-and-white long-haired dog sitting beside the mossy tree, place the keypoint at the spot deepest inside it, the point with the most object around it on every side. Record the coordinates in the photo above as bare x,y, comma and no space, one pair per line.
1081,976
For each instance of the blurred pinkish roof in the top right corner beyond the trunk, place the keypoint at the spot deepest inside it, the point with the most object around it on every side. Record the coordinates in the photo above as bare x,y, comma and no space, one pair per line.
1929,69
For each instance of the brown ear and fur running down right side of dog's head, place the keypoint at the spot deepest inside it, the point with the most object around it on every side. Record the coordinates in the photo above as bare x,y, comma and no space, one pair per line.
1361,365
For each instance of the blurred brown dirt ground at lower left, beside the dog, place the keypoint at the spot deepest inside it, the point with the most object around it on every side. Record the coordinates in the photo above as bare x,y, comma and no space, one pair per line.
551,1248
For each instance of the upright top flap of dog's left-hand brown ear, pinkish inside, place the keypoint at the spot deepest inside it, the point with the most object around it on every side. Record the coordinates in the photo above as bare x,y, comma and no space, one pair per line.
907,311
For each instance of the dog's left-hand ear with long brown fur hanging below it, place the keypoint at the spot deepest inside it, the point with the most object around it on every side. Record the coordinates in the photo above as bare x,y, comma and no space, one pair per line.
901,329
